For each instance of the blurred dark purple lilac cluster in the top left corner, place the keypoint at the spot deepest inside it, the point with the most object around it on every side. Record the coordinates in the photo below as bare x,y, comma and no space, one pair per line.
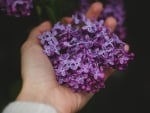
16,7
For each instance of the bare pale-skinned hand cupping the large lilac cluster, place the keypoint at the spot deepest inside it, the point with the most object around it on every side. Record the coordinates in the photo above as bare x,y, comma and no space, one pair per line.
39,82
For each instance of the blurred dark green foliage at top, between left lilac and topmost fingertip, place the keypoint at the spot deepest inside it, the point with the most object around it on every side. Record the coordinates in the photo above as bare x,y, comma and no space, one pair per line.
54,10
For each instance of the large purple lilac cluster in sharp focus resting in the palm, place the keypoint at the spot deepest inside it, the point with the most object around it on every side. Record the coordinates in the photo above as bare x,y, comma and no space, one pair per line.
81,51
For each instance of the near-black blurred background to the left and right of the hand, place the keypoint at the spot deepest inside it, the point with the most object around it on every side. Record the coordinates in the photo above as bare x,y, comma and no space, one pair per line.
125,92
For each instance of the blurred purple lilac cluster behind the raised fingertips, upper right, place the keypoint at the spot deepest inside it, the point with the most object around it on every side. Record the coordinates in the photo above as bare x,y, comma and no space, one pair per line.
115,8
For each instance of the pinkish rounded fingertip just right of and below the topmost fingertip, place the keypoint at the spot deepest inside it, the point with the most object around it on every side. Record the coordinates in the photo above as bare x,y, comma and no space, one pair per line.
111,23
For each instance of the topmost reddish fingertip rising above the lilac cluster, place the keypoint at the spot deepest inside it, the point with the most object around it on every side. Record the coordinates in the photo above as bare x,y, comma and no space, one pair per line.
94,10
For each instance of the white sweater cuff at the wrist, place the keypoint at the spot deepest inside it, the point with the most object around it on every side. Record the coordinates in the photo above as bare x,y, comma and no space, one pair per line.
28,107
